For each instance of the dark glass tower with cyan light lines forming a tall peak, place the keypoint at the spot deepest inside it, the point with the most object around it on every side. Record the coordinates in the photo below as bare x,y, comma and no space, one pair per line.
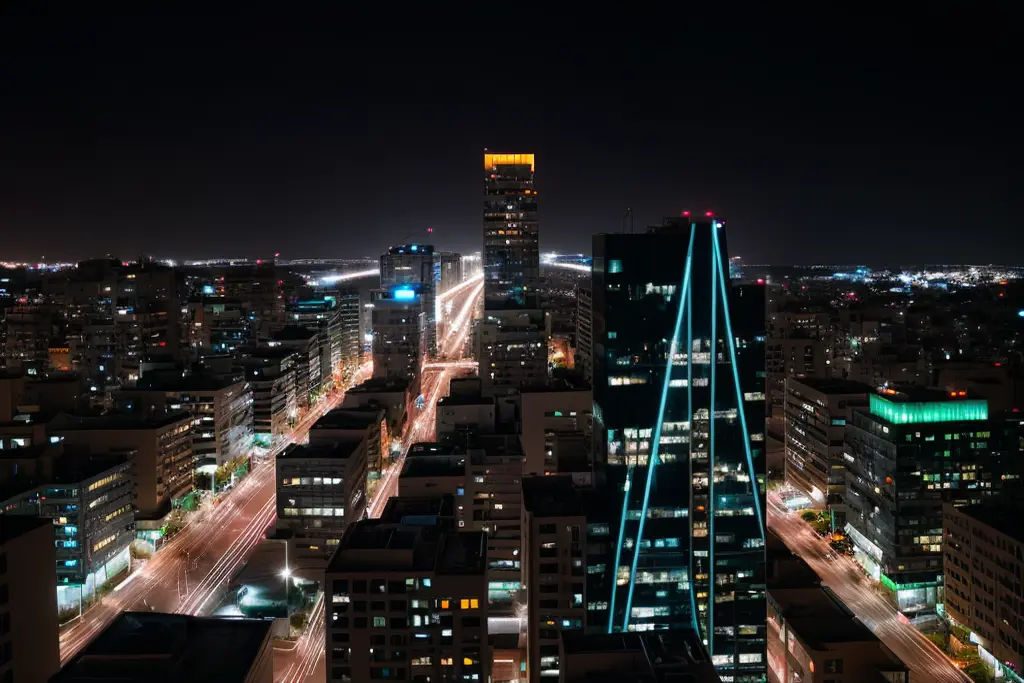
679,394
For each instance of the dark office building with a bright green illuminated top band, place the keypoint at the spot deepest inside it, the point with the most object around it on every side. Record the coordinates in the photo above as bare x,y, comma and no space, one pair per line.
906,458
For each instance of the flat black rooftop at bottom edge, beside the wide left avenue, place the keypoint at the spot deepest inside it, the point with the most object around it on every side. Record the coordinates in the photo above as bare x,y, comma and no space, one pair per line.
145,648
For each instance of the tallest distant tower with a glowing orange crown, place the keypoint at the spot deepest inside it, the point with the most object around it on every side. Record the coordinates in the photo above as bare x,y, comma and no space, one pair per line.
511,244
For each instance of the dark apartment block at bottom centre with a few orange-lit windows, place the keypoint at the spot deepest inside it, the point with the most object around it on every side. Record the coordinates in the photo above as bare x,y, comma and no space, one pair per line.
407,603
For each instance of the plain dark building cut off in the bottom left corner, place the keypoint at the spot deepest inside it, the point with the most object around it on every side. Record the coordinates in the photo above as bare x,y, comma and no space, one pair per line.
29,637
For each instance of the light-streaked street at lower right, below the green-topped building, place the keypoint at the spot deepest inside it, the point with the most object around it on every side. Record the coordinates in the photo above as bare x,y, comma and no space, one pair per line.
843,576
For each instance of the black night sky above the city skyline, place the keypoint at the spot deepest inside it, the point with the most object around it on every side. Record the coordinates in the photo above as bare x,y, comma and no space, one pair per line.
831,139
